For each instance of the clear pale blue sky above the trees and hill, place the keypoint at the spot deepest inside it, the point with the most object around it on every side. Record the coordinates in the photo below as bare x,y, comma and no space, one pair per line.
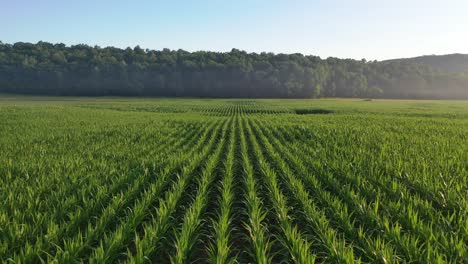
371,29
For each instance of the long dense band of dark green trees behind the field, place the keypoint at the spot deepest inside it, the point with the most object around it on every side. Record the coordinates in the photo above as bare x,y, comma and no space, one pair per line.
56,69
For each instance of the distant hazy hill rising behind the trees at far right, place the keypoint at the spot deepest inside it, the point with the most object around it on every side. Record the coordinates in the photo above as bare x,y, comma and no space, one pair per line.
451,63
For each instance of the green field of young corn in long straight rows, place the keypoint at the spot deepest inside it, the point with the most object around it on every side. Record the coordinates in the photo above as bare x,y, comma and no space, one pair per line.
113,180
